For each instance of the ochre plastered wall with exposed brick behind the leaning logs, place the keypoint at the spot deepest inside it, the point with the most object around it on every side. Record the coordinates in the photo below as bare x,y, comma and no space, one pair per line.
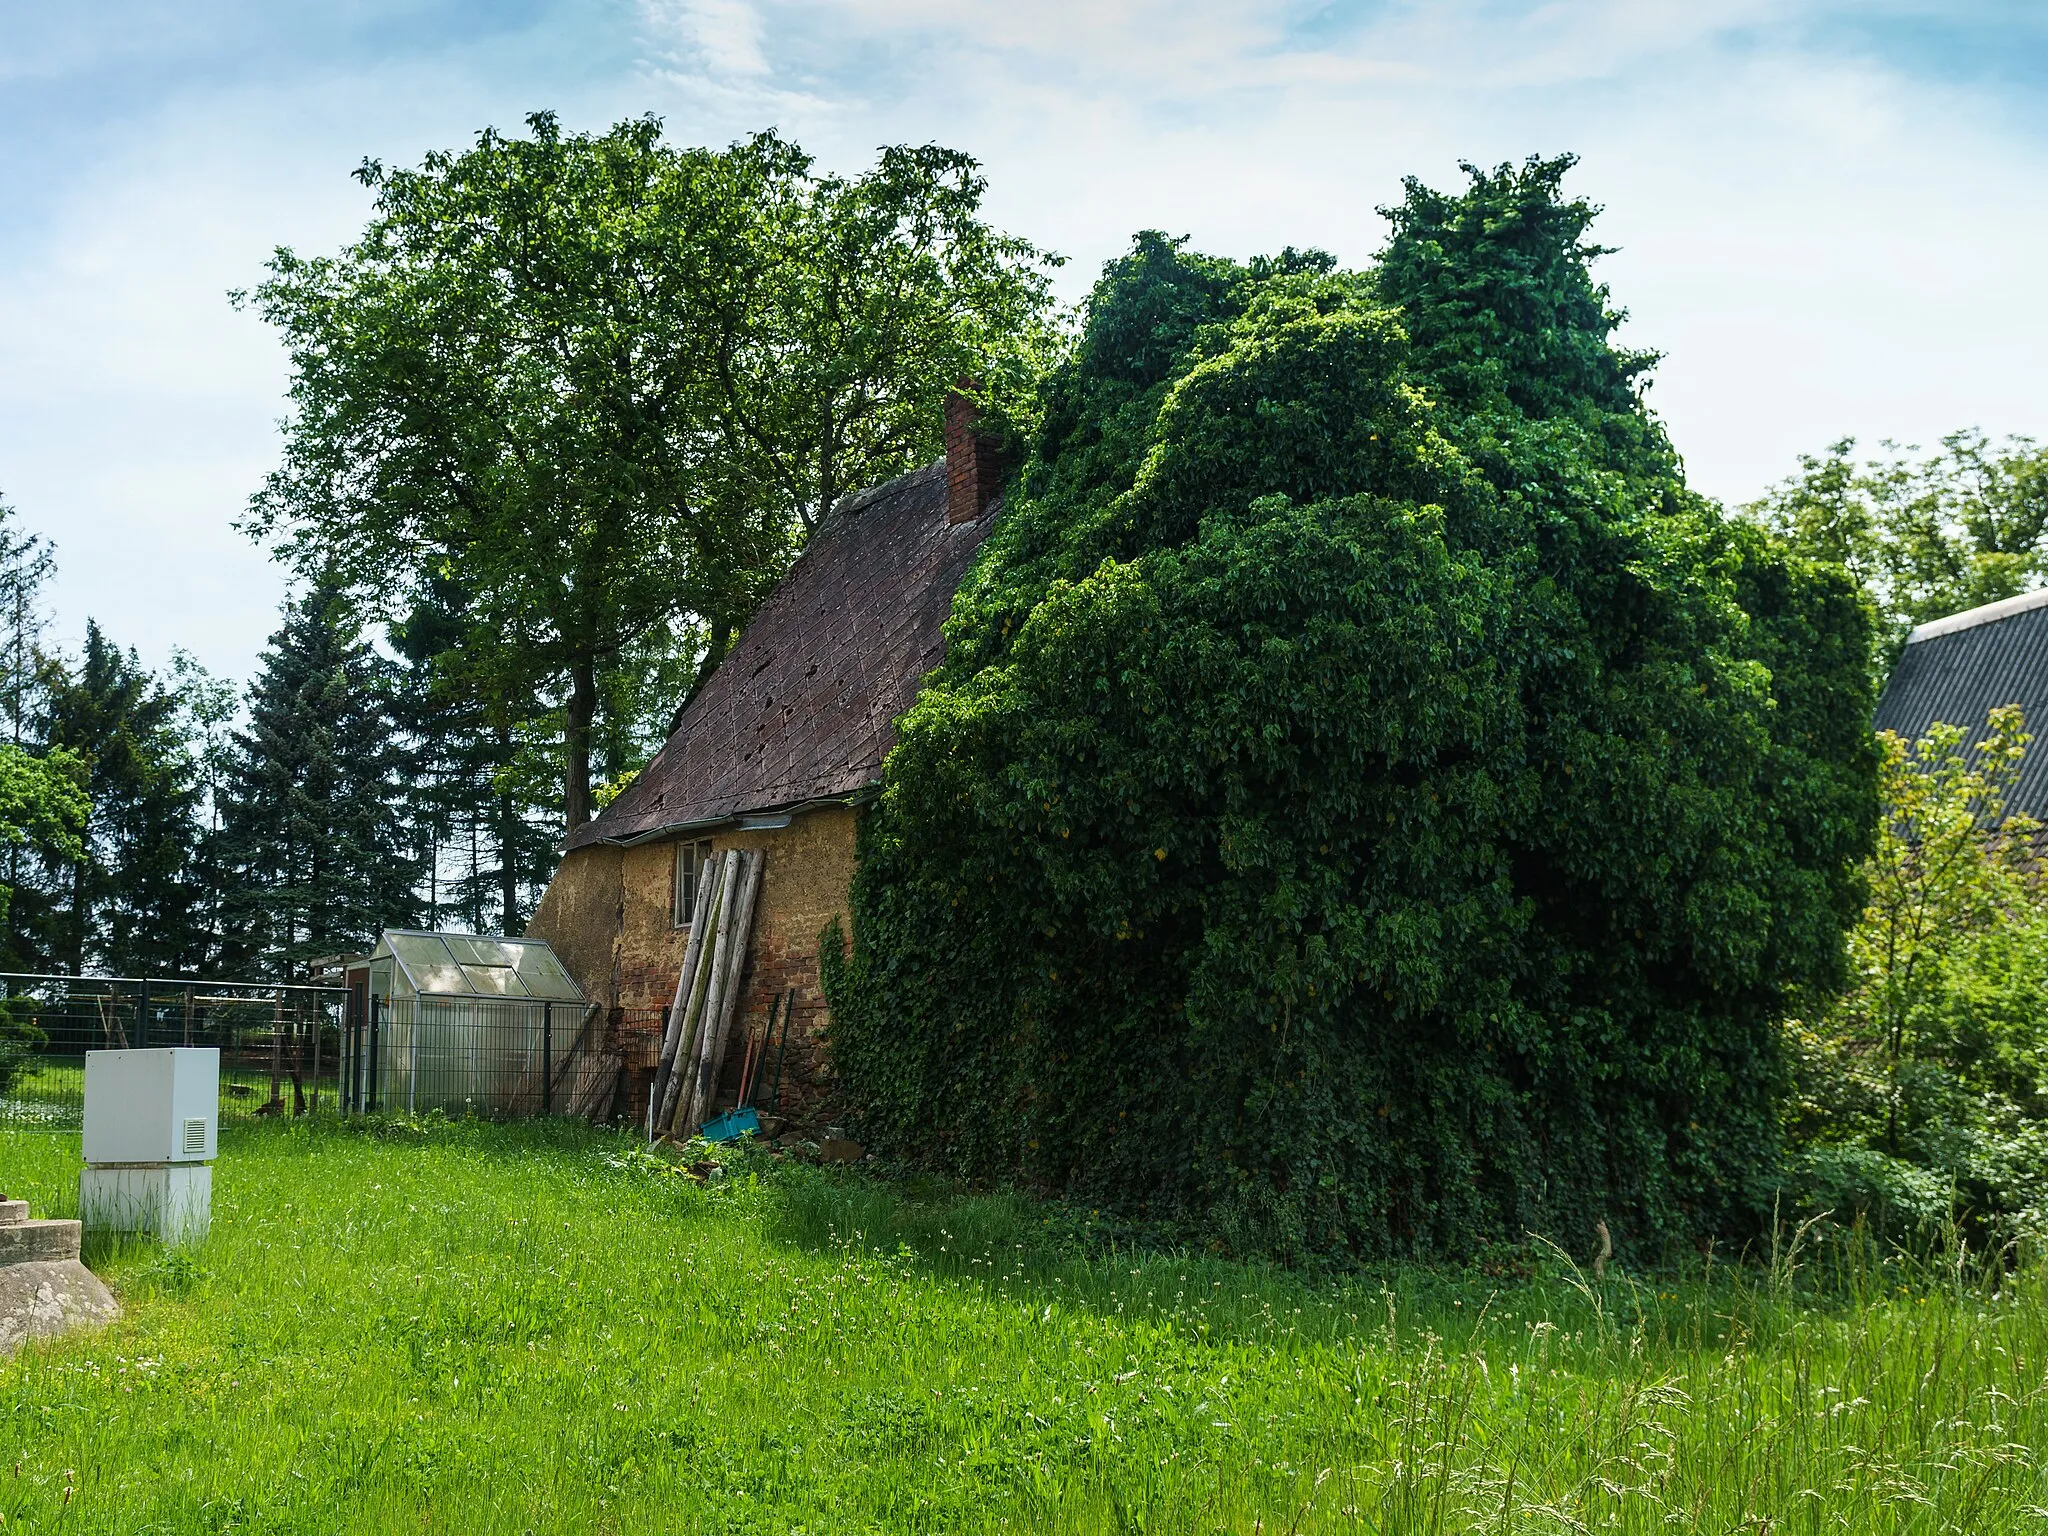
609,916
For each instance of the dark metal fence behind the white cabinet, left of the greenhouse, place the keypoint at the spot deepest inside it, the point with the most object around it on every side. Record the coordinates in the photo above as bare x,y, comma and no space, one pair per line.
282,1046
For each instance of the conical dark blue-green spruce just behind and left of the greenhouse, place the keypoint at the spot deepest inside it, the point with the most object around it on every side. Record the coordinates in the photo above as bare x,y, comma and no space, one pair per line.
312,833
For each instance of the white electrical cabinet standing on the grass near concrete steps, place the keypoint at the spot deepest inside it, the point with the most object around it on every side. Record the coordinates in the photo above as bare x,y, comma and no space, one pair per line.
153,1125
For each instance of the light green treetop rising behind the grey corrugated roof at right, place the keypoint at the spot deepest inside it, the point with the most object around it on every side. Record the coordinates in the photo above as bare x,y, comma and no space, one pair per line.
1922,536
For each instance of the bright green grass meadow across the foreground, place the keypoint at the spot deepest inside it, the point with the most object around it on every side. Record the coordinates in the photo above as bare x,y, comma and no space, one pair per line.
470,1328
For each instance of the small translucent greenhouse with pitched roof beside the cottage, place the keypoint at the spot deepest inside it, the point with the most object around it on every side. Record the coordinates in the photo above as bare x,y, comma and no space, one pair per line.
460,1023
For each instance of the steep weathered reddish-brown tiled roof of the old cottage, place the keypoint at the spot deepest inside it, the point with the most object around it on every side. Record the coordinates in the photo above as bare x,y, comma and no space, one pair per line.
804,708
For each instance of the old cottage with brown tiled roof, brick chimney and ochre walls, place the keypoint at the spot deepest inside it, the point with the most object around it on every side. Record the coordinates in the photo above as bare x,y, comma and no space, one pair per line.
777,755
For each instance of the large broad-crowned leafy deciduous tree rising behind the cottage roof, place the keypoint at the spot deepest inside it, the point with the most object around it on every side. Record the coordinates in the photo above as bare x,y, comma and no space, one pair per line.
605,384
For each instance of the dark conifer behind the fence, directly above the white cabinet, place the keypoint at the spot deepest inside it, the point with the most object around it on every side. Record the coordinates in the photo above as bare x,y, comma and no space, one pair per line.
132,902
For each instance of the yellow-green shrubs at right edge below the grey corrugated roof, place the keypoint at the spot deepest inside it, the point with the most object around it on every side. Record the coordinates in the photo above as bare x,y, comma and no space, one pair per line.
1928,1078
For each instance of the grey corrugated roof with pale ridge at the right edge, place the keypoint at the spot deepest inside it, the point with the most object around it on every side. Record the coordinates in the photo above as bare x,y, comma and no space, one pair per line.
1961,669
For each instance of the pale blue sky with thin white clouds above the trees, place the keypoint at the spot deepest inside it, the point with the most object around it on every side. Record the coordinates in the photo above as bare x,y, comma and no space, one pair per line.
1830,218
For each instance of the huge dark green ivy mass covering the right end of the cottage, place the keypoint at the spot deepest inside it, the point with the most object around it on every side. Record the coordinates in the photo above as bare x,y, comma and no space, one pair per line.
1369,804
